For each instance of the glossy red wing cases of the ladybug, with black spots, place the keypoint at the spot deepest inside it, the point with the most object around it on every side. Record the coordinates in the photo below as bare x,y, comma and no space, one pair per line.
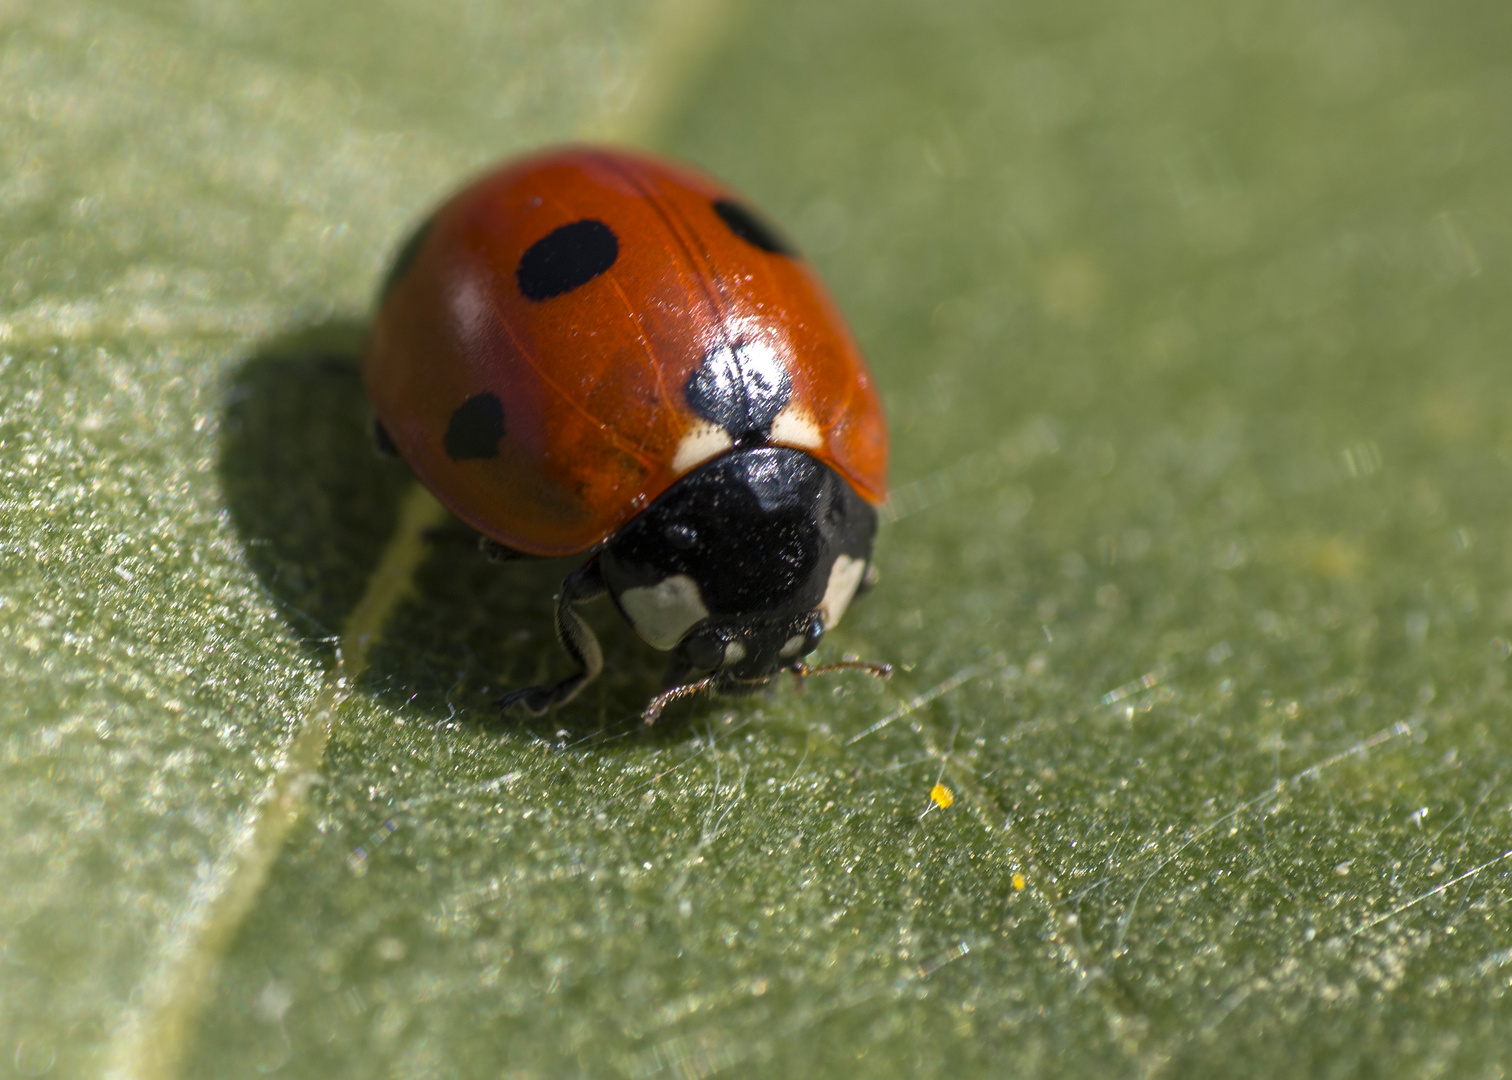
590,382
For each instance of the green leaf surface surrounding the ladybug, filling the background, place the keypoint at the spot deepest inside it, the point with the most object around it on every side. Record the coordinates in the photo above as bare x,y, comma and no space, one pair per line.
1192,326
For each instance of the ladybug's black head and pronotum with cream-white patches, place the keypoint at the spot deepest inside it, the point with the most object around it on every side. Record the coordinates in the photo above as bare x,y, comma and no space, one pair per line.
742,566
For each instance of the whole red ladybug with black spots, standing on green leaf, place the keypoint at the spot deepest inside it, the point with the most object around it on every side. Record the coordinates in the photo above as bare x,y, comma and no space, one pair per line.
595,352
